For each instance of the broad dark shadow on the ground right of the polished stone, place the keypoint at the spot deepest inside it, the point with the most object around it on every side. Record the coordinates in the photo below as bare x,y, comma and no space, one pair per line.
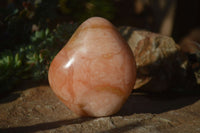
155,103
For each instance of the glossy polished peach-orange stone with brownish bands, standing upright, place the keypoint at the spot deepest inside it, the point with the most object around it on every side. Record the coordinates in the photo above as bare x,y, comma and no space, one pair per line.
94,73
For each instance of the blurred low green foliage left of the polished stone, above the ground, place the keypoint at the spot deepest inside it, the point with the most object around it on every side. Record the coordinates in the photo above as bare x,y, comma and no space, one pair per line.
32,61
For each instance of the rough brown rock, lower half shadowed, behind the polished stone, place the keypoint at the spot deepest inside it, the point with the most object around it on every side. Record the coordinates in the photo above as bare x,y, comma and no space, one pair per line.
160,62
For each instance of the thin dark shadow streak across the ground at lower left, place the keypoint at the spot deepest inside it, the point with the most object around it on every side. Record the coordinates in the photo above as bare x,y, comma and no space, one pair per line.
43,126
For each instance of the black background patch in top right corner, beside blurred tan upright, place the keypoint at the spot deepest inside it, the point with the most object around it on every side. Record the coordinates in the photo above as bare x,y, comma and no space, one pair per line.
187,18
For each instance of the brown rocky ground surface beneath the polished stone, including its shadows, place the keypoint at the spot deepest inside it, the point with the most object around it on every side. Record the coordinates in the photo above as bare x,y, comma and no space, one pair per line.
37,109
